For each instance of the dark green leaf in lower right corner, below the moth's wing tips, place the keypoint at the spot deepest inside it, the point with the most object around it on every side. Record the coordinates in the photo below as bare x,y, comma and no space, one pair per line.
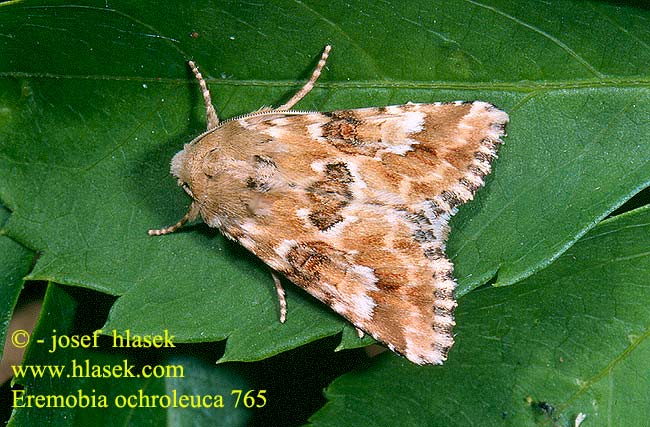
571,339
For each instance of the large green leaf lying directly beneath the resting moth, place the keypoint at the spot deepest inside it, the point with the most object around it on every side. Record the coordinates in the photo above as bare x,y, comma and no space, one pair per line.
95,99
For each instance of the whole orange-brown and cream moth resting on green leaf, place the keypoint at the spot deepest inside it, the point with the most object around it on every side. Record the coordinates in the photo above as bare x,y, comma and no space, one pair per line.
350,205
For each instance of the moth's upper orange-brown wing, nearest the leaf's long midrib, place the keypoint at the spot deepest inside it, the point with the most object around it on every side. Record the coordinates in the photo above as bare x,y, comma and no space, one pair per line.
400,154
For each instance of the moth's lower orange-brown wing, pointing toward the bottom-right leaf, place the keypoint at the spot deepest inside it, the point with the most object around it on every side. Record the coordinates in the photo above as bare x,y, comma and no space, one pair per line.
379,278
